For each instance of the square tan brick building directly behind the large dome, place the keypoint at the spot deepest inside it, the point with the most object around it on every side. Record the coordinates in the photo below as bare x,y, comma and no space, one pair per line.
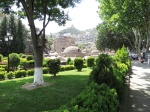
61,43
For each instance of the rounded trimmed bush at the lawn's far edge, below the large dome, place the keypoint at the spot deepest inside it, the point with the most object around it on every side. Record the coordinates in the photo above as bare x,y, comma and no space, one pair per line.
78,63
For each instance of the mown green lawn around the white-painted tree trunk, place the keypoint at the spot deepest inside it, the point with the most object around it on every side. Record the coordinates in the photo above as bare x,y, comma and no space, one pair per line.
63,89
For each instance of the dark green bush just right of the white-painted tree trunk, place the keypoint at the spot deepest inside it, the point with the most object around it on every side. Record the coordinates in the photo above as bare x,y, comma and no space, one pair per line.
54,66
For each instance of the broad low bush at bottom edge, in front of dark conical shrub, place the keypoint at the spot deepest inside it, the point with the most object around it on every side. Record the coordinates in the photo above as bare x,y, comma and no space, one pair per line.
96,98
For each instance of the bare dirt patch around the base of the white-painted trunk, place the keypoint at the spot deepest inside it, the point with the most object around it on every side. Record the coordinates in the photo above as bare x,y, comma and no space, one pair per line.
31,86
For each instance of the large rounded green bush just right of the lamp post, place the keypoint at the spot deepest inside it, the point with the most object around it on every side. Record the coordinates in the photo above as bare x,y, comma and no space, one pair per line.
14,60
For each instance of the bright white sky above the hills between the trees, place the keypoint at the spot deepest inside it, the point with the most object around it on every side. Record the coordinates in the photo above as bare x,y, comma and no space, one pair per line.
84,16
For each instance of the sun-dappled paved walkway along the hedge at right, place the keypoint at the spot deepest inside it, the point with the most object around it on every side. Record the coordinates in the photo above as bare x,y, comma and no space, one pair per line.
139,88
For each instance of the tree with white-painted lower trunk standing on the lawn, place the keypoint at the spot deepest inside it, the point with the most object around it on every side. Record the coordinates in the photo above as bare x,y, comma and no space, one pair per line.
45,10
